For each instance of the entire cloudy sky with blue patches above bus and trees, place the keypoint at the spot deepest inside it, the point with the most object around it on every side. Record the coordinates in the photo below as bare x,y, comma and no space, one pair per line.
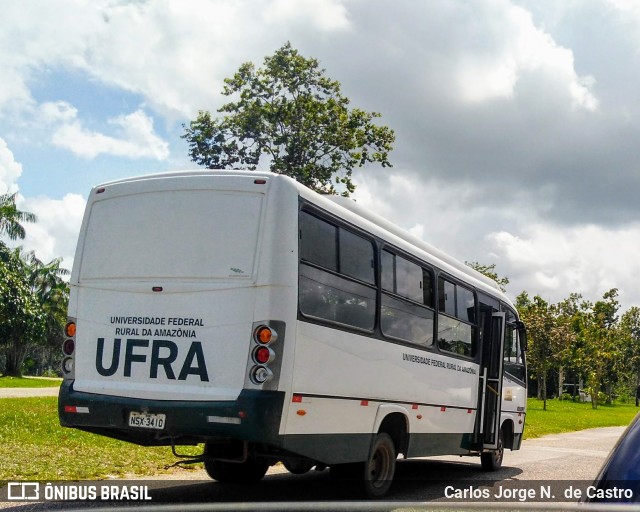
517,122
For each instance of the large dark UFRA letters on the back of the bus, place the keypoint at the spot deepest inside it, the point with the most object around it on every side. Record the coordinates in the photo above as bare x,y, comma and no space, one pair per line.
163,355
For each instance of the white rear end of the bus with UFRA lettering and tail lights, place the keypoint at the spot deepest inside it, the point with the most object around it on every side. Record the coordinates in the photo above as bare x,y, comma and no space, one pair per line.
172,333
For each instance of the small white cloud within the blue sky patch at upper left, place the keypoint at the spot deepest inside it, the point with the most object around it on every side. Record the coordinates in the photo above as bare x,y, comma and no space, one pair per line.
136,137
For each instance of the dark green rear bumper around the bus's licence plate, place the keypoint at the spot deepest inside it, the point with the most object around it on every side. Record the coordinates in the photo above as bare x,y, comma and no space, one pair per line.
254,416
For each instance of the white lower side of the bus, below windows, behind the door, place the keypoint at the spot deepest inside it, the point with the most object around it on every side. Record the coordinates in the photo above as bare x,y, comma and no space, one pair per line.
338,380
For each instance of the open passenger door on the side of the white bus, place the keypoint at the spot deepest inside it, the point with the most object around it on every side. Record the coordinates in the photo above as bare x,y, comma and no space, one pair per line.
491,379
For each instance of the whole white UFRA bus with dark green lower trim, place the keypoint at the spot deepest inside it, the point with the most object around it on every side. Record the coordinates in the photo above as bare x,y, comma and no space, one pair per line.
242,311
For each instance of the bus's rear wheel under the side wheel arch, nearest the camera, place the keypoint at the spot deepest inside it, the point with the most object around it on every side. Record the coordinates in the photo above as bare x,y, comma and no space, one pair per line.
380,467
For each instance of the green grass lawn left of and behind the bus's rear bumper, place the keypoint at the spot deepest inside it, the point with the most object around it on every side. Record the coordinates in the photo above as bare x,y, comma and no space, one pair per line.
33,446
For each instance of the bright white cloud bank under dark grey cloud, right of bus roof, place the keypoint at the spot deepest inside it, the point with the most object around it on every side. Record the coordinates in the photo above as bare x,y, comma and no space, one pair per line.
538,257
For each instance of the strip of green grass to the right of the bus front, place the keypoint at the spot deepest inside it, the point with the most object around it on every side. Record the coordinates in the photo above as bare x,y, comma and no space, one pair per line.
567,416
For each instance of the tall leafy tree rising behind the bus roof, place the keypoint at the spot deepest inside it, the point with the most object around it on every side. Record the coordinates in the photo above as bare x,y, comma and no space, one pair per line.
295,117
